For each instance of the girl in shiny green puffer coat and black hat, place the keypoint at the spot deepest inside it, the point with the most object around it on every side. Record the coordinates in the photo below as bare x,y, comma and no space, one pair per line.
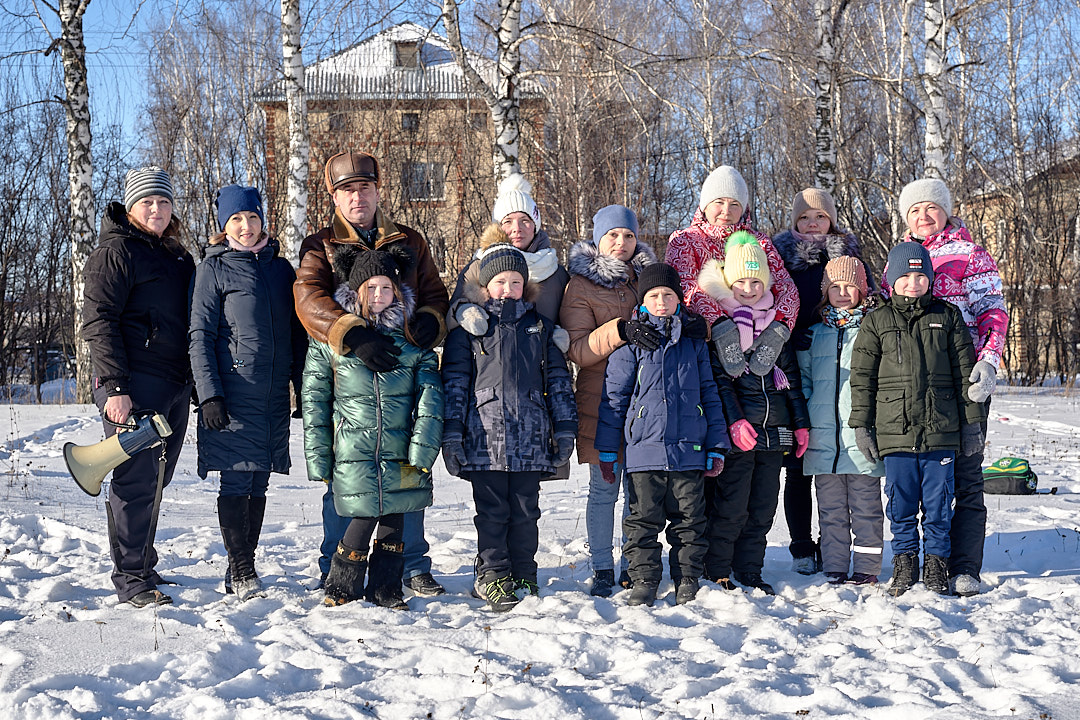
374,436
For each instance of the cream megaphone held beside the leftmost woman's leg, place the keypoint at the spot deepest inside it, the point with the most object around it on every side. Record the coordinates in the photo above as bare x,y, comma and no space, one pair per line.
89,465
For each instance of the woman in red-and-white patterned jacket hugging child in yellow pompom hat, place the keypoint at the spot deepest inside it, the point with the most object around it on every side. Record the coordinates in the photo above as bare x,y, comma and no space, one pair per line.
722,211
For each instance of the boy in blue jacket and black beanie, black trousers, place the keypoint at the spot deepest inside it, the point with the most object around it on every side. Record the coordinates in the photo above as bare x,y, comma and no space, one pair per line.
663,400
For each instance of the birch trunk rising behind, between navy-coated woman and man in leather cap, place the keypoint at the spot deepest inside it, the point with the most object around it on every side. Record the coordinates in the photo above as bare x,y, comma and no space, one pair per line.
300,147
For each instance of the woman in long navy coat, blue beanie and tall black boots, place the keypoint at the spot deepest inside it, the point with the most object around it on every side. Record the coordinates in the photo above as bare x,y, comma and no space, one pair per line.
247,345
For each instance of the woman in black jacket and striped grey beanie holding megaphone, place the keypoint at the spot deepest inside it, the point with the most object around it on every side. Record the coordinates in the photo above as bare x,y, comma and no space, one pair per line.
136,313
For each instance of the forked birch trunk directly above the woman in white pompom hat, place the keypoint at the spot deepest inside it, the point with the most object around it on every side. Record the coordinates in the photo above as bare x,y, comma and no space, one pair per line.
504,99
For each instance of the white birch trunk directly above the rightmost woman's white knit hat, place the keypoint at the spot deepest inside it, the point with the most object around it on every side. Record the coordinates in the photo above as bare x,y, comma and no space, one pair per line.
934,86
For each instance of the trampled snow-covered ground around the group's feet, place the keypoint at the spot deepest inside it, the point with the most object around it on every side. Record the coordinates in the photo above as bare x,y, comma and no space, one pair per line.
67,650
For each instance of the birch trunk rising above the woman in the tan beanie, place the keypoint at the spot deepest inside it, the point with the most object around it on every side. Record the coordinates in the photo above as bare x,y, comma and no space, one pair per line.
825,102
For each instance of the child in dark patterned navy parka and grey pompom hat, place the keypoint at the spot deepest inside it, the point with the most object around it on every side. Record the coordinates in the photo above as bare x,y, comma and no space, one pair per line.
510,420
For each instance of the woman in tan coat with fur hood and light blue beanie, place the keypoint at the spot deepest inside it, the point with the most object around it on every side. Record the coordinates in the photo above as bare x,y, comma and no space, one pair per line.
597,309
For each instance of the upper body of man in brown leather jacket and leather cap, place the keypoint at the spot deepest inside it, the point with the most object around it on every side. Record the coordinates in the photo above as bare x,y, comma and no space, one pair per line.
353,180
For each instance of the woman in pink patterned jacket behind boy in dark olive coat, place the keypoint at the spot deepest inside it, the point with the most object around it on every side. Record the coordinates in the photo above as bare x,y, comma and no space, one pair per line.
966,276
